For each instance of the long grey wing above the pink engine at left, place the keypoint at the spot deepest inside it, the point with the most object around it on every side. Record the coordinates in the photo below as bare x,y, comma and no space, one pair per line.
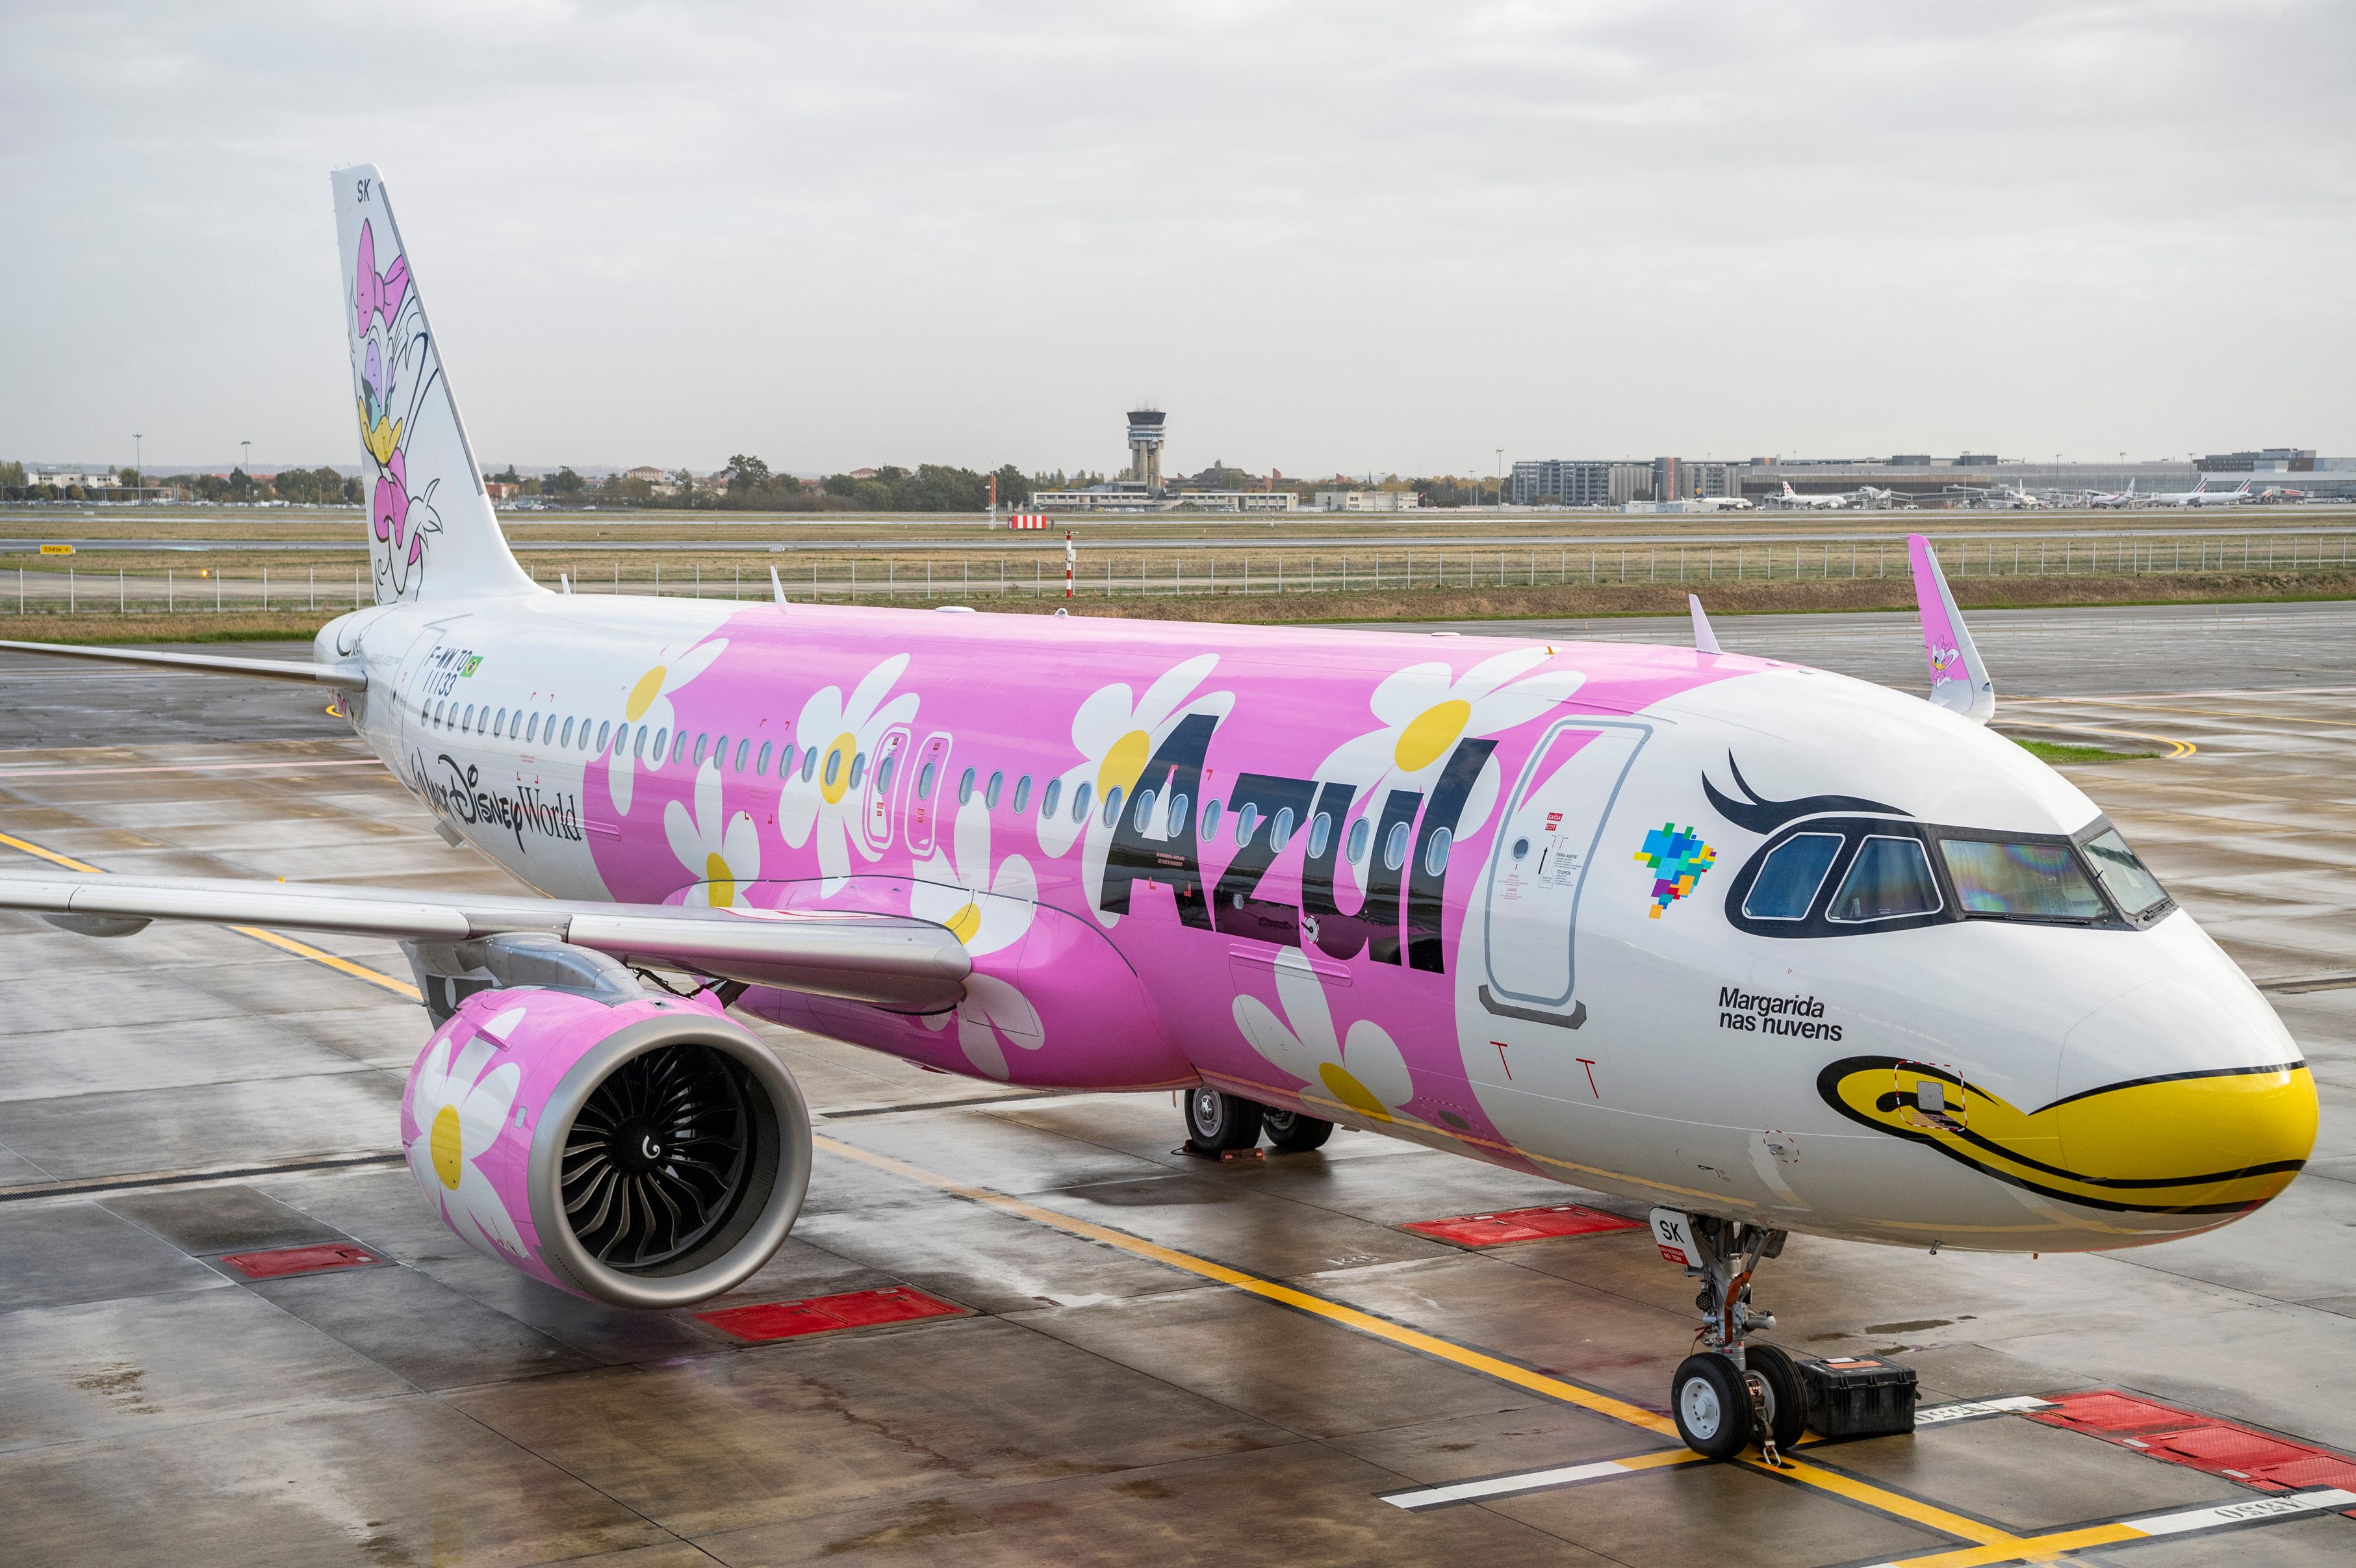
856,956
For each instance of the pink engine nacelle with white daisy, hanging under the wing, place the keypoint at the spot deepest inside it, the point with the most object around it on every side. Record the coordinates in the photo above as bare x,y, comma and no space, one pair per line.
642,1152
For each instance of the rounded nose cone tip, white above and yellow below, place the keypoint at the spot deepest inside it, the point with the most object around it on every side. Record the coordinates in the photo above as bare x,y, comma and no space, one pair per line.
2199,1102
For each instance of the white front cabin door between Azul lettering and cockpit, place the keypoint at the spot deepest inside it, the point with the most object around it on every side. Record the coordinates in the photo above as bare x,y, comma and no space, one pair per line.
1540,864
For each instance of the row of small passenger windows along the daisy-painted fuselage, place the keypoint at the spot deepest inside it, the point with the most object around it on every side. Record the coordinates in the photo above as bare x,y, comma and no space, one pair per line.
564,732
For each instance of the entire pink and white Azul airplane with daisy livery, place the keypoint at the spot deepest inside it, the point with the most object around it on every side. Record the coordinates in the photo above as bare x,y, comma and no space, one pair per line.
1759,947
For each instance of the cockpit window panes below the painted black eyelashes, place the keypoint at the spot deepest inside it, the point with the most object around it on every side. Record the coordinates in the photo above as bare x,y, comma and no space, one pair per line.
1891,878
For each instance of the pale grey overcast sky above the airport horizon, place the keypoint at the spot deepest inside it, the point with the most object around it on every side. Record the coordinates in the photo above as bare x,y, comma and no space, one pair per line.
1377,237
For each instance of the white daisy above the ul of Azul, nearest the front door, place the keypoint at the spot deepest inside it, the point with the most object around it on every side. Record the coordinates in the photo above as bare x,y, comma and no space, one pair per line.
1427,711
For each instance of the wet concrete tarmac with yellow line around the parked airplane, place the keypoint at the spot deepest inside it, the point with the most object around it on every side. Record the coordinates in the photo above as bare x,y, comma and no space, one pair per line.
1153,1359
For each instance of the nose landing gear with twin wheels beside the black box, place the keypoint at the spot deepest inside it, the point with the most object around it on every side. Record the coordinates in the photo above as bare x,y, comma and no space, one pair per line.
1730,1395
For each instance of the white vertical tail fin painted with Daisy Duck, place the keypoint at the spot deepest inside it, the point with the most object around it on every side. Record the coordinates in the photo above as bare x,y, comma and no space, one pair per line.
428,513
